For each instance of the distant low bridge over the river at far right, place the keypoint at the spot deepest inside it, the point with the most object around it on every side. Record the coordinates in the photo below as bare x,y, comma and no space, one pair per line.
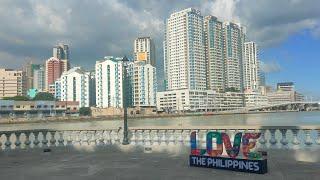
294,106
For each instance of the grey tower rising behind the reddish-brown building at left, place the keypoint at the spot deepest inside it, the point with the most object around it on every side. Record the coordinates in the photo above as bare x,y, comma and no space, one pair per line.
61,51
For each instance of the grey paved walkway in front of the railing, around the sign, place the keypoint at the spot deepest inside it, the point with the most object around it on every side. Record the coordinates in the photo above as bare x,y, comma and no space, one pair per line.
130,162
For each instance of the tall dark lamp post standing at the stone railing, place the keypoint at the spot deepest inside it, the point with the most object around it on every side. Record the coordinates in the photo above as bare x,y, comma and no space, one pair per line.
125,140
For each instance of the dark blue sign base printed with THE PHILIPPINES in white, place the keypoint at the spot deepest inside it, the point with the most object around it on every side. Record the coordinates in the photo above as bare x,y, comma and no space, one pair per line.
232,164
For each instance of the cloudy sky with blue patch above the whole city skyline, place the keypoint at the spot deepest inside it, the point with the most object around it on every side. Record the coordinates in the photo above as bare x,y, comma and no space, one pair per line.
286,31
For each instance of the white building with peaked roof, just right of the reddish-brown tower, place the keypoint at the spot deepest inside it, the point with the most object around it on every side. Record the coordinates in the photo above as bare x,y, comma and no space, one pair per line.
75,85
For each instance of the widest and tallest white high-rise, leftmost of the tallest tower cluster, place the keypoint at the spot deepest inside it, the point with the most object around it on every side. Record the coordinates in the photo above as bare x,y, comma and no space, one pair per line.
185,65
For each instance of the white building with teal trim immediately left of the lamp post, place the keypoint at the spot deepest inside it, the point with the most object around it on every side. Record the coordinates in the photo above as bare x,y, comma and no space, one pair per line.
109,75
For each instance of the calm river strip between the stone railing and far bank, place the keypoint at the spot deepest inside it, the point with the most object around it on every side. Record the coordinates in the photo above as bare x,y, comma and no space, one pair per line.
259,119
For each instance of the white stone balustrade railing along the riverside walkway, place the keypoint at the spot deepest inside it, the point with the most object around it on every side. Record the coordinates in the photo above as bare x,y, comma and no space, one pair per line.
271,136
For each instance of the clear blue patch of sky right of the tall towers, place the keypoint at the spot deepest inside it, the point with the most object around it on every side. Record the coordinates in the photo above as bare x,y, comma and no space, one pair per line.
298,60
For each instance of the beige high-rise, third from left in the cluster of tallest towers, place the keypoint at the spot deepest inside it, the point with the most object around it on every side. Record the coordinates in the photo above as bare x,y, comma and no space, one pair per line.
234,37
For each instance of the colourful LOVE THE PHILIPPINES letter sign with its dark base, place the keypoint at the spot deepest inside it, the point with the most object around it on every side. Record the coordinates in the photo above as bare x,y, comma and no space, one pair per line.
248,161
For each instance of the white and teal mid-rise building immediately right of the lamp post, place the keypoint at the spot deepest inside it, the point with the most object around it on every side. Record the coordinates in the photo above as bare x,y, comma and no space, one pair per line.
144,84
